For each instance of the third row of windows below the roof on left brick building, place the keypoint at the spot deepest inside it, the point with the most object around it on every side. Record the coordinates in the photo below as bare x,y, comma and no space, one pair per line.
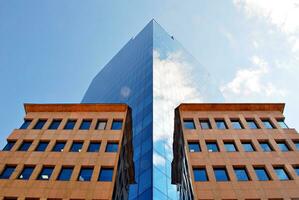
85,174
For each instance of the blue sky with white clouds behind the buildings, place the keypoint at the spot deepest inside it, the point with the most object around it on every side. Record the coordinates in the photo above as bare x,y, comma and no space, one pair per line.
51,50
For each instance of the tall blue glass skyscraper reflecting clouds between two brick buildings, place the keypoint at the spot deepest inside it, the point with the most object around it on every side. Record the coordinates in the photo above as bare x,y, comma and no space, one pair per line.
153,73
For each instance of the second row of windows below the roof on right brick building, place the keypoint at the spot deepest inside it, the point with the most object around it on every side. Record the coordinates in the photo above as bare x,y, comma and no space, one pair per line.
230,146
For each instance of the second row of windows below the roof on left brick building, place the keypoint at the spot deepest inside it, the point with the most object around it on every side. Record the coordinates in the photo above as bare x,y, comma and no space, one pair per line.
94,146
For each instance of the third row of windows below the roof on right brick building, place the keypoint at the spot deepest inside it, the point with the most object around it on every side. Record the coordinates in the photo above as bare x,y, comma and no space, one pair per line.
241,173
